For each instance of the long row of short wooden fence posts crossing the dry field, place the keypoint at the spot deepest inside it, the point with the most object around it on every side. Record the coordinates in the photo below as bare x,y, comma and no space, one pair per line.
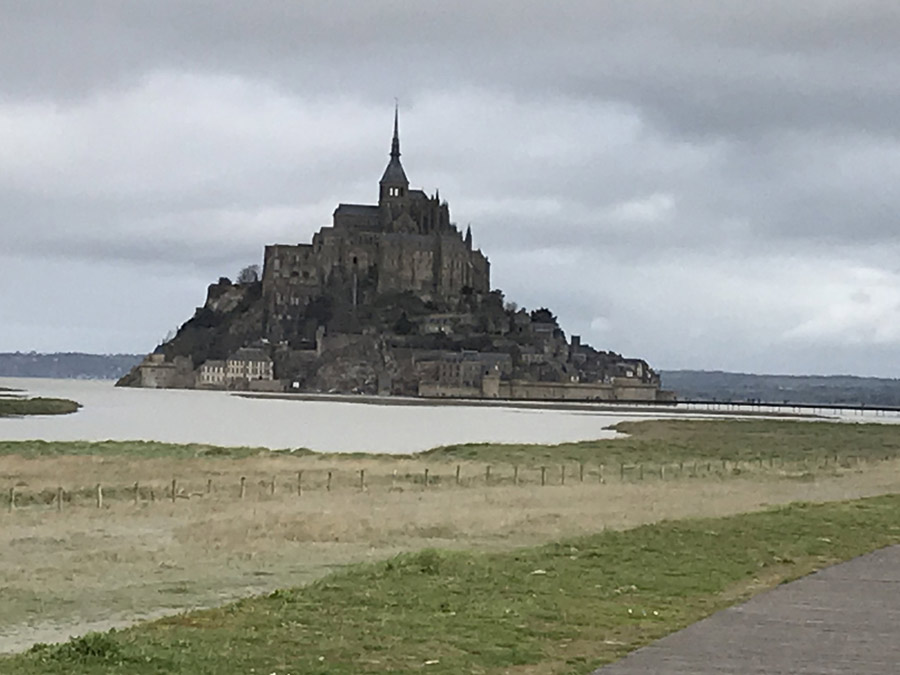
324,481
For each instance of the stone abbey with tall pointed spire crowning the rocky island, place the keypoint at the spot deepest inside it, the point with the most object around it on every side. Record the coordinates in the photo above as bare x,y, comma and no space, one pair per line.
405,243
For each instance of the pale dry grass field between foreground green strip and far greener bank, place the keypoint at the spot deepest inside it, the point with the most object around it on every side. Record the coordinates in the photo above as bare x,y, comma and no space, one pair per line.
68,569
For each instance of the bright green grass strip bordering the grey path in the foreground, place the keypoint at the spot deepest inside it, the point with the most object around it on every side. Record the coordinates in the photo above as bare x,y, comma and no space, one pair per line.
567,607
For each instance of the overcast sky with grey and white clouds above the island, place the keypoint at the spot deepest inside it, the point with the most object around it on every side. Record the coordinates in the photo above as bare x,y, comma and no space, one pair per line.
702,184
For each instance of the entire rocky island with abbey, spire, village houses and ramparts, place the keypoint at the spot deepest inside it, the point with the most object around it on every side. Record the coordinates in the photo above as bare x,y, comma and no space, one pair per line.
391,299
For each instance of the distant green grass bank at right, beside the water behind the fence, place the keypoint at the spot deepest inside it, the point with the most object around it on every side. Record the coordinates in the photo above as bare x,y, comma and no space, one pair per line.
662,441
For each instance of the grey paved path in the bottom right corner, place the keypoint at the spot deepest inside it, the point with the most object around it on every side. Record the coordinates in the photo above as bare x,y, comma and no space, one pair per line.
845,619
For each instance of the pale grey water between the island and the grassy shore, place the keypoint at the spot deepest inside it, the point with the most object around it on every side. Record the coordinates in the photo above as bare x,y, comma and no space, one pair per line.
182,416
